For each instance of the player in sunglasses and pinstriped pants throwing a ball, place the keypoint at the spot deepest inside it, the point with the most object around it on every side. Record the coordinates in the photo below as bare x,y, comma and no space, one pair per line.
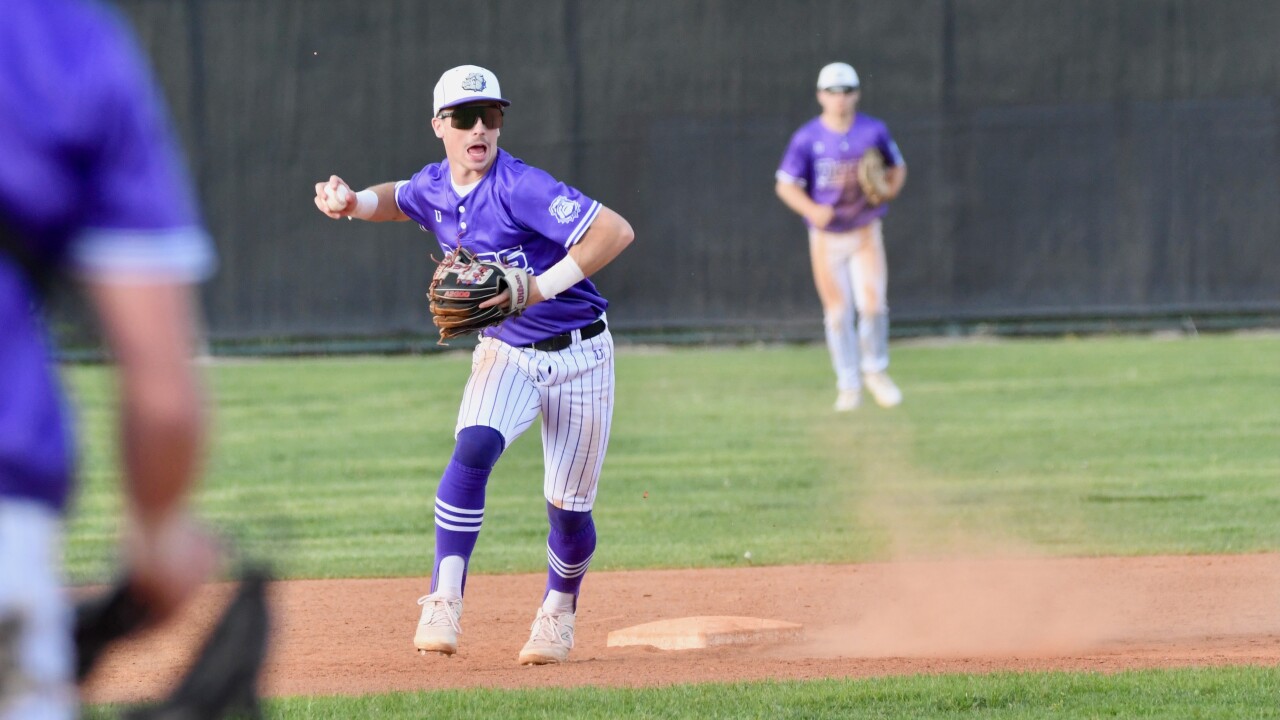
555,361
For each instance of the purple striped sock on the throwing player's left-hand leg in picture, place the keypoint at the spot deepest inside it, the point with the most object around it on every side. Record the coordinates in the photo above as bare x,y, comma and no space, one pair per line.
460,505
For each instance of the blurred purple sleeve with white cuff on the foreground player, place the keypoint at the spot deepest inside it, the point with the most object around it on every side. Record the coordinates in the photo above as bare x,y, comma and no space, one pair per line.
140,213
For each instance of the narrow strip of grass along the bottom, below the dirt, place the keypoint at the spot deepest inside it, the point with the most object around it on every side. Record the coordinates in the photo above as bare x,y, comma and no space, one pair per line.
1196,694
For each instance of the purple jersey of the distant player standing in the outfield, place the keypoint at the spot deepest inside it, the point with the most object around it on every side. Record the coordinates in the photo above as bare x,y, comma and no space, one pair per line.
825,163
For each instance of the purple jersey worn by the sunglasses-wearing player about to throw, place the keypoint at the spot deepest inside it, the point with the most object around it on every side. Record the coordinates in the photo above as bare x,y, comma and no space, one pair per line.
519,216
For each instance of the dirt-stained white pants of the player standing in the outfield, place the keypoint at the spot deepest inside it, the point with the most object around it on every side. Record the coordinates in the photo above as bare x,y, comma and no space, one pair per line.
852,276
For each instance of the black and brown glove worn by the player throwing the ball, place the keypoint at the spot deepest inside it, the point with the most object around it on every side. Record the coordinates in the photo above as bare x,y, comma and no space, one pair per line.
463,282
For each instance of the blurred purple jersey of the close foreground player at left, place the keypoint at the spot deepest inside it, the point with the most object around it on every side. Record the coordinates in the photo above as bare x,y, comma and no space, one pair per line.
92,184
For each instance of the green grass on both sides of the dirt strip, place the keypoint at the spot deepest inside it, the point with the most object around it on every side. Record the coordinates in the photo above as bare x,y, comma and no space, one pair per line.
1108,446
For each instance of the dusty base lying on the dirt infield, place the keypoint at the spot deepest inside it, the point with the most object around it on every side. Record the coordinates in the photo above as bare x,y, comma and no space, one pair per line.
707,631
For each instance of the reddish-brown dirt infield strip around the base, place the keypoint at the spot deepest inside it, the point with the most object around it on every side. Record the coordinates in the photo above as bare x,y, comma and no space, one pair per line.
354,637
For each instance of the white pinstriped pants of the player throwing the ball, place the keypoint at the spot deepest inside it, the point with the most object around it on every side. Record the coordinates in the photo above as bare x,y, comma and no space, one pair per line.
574,393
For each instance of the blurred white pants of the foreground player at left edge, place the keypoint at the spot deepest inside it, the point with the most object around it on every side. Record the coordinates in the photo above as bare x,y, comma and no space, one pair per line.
35,619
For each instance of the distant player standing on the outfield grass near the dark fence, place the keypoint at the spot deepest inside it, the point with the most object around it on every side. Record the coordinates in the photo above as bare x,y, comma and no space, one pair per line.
817,180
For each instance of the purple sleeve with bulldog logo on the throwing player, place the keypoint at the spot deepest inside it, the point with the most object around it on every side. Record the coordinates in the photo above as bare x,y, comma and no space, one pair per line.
552,209
